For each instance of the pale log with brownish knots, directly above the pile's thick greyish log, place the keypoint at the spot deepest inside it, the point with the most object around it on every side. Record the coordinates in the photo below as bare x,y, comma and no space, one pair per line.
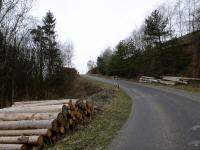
29,116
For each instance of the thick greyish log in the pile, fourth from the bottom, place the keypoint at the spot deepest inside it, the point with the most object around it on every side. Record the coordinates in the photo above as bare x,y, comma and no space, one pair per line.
27,124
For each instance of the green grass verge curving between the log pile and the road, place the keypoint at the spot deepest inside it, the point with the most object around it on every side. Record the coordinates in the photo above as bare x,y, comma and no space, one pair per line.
103,127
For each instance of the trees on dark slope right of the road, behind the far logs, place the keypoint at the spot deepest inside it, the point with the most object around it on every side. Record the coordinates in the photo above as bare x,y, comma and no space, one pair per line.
160,47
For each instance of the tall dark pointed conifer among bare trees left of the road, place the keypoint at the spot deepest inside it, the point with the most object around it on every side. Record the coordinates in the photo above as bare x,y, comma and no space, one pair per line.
49,59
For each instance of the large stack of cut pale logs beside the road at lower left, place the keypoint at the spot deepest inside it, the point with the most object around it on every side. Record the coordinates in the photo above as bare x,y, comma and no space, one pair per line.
26,125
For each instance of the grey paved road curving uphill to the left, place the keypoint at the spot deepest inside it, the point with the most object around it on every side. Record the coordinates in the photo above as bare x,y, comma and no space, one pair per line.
161,119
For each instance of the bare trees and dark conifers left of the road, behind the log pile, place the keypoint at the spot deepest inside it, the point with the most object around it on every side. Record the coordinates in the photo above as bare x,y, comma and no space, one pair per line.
31,59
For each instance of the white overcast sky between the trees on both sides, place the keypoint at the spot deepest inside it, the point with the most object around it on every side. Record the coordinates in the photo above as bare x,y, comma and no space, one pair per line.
93,25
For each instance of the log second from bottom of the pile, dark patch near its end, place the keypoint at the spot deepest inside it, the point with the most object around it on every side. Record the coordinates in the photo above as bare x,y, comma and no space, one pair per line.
36,140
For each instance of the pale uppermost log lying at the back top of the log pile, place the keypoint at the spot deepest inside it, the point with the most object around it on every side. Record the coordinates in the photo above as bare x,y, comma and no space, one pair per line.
44,103
